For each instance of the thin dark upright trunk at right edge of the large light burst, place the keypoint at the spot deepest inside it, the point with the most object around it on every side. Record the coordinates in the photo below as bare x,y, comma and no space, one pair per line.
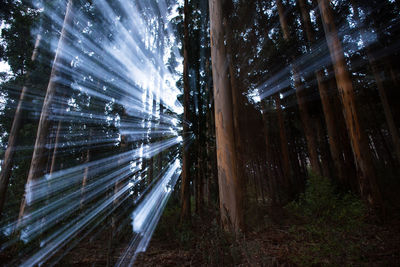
185,186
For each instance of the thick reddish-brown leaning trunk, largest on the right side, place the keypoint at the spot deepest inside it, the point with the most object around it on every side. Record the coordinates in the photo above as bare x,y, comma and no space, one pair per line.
367,178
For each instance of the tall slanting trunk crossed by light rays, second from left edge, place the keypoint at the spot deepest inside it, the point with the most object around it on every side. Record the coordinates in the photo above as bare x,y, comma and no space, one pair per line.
37,164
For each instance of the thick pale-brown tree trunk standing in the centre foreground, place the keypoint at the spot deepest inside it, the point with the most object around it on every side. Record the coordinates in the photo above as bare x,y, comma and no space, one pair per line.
230,192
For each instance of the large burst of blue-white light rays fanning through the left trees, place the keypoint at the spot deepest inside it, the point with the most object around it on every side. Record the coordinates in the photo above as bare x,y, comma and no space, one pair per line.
116,96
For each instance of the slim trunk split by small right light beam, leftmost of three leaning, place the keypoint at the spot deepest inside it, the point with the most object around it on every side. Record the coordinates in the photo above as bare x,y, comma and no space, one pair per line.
300,94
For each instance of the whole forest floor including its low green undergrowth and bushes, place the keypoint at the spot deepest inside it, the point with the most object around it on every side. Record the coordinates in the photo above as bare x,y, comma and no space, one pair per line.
320,229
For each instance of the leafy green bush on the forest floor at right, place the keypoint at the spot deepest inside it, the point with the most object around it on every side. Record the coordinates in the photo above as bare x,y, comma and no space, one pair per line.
332,232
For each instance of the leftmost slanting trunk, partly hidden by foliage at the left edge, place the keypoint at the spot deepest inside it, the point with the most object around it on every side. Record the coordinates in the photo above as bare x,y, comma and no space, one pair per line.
12,139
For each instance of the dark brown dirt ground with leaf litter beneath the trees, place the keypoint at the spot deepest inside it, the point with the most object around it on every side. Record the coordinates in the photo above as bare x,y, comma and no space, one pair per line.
282,241
